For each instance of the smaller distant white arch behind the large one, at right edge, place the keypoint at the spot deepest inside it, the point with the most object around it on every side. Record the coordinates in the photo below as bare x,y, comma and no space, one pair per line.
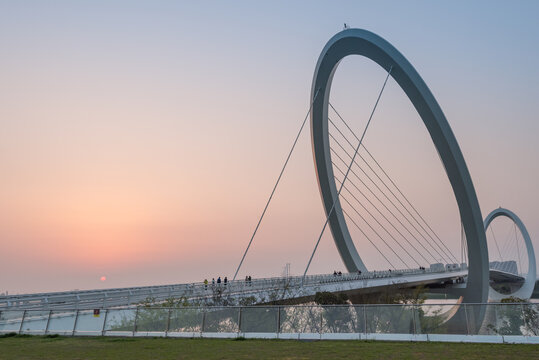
525,292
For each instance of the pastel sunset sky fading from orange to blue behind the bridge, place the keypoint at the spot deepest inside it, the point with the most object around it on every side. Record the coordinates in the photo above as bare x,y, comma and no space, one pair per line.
140,140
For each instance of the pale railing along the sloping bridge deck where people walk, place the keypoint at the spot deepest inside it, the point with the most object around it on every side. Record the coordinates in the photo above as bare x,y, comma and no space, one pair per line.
88,299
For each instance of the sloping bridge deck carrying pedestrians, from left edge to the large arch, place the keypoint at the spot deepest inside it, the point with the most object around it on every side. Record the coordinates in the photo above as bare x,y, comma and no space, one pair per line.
260,291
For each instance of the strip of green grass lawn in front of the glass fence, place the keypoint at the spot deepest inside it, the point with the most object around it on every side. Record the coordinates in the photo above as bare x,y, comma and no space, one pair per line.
39,347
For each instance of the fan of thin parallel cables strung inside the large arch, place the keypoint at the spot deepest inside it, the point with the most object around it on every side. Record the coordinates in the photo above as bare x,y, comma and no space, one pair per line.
379,206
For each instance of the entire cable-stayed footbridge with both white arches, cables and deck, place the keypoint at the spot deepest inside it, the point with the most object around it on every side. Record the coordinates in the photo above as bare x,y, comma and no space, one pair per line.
355,190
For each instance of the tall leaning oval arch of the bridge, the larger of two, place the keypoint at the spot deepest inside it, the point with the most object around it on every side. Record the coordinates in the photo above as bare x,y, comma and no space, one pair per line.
365,43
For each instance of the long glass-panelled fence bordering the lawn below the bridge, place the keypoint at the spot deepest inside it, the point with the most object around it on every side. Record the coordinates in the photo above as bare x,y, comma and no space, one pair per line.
409,321
